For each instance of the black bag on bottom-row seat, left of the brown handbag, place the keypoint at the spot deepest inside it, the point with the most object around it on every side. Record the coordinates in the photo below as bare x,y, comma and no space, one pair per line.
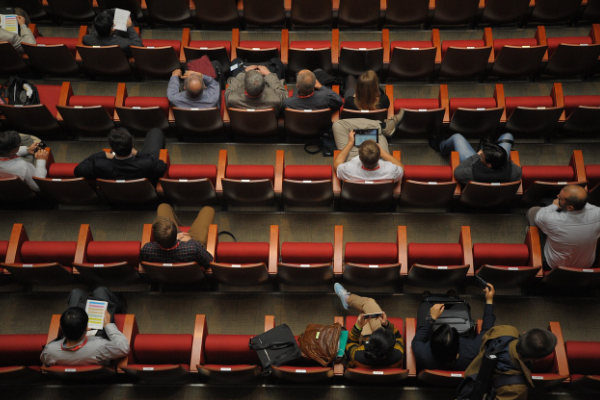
276,346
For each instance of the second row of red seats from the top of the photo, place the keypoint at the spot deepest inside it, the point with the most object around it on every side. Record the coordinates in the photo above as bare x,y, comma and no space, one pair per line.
398,59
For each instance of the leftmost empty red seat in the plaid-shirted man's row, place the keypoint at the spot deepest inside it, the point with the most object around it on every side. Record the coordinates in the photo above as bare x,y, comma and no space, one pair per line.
38,262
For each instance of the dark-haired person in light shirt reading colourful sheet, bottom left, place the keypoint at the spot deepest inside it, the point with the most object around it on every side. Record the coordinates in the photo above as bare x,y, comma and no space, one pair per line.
79,348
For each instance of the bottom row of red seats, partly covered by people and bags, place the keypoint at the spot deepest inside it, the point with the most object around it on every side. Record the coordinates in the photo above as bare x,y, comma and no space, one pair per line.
226,359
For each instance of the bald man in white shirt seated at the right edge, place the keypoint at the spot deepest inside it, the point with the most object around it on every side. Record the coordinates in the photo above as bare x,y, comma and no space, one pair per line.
571,227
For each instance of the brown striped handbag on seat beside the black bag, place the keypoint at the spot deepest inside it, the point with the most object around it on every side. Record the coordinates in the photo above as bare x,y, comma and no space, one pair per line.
320,342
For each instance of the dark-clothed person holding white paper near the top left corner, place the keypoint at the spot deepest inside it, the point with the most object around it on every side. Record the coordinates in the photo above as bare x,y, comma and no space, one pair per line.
104,33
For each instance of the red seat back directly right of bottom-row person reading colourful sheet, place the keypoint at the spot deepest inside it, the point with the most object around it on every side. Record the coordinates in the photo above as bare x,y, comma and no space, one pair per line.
162,349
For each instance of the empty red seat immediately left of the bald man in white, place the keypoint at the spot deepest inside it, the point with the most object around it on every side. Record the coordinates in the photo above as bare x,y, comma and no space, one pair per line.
510,265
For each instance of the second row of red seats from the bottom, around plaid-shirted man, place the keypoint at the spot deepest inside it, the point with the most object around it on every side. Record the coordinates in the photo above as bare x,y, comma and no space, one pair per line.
291,265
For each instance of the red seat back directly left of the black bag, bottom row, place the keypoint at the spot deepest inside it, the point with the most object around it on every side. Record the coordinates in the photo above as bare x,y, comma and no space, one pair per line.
229,350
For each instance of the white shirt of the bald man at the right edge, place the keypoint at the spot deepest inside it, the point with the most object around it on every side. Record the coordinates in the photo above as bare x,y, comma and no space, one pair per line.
571,235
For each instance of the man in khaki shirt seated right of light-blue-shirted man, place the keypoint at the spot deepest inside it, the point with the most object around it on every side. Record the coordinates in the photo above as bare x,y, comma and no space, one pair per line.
256,88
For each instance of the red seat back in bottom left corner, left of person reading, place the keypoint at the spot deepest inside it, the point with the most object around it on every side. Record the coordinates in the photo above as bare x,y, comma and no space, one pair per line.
21,350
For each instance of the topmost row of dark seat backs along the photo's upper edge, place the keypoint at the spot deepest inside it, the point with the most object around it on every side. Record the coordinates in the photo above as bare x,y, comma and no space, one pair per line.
322,13
